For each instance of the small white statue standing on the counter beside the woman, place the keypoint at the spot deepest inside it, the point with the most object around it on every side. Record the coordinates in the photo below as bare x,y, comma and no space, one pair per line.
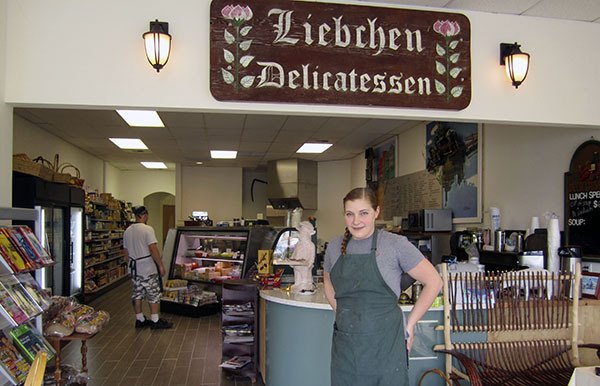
304,258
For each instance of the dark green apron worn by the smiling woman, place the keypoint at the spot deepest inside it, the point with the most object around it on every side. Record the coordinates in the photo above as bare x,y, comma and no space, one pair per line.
369,346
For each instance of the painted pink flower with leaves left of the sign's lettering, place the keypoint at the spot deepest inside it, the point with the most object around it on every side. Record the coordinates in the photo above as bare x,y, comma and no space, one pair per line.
235,58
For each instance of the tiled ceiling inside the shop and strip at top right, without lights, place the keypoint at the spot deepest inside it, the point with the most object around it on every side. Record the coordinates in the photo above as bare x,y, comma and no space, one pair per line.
188,137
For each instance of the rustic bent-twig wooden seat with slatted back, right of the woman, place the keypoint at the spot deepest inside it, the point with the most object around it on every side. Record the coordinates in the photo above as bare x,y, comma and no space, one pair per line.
527,323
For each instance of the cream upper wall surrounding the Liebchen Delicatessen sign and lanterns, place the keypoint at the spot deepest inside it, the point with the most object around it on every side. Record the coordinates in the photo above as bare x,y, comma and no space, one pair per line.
85,76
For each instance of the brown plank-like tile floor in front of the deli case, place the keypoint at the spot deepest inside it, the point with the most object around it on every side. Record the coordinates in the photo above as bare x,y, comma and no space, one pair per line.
189,354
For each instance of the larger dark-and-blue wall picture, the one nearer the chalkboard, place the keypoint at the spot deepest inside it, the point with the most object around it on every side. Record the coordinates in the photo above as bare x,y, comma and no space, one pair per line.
453,155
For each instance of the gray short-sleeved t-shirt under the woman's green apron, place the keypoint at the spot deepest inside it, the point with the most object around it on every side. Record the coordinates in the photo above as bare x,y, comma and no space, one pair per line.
395,255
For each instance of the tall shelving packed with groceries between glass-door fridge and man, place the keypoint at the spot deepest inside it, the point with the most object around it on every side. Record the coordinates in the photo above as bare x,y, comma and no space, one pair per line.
104,264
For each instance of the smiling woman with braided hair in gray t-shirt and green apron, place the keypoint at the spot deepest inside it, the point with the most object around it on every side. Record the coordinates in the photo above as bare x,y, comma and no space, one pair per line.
362,276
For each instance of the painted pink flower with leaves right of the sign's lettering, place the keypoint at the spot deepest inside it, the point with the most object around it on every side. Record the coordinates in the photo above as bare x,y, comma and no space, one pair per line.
447,58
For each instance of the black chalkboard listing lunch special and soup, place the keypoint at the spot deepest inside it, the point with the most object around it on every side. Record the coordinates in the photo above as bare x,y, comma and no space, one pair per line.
582,199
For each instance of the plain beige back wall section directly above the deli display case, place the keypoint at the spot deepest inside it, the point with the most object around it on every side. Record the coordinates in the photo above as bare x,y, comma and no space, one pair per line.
217,190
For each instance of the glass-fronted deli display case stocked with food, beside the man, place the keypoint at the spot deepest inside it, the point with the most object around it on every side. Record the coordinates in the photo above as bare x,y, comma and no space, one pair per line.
207,257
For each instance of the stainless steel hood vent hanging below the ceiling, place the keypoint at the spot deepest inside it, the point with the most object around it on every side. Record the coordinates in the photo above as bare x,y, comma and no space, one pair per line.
292,183
